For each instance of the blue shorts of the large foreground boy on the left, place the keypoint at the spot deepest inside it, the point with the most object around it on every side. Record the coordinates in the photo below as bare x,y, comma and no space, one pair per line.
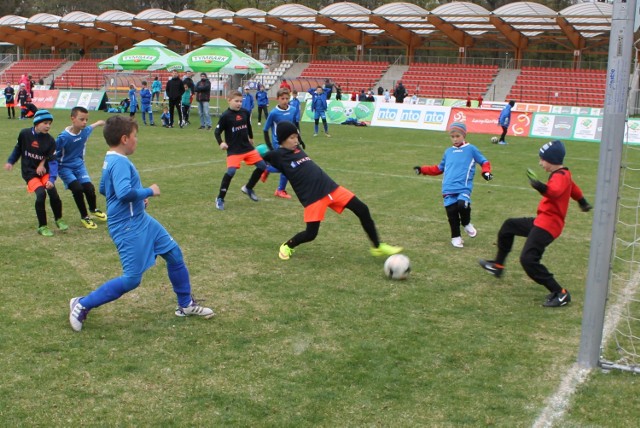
140,244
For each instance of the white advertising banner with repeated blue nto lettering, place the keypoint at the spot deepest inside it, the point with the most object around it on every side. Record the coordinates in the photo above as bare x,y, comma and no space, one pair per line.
411,116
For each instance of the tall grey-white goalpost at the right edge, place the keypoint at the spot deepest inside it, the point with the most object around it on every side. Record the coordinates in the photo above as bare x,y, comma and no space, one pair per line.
608,182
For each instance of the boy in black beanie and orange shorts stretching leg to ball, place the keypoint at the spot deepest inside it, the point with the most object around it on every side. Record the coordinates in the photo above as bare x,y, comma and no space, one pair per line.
317,192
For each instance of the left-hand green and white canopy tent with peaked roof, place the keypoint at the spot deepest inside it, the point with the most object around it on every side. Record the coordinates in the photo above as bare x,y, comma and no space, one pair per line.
146,55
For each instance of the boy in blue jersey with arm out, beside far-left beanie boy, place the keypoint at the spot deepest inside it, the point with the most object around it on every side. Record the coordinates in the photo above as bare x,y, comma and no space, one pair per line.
71,145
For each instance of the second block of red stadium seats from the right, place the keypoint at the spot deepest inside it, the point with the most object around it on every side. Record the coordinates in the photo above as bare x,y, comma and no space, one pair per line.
448,81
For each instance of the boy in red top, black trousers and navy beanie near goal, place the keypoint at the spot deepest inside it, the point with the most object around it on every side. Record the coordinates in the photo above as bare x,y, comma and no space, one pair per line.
543,229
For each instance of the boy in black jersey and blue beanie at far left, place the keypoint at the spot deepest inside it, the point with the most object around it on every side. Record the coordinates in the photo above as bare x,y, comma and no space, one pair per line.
36,150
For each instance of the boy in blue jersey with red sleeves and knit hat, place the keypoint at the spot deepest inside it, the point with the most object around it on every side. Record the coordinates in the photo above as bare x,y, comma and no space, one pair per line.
458,165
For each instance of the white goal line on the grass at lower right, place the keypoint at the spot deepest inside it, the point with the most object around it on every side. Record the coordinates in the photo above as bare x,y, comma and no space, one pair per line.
558,402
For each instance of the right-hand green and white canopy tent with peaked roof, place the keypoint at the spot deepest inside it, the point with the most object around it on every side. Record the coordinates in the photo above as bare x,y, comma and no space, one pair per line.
220,56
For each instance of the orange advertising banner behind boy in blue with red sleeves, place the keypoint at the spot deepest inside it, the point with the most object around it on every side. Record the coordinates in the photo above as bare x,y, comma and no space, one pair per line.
484,121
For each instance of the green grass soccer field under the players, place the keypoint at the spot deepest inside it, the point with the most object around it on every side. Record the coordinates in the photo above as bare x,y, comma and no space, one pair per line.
323,339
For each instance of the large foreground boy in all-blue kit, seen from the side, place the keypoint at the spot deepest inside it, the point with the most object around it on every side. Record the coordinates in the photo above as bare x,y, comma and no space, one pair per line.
138,237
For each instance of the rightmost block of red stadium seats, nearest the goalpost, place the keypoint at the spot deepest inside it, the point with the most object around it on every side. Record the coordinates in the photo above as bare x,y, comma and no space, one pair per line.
560,86
